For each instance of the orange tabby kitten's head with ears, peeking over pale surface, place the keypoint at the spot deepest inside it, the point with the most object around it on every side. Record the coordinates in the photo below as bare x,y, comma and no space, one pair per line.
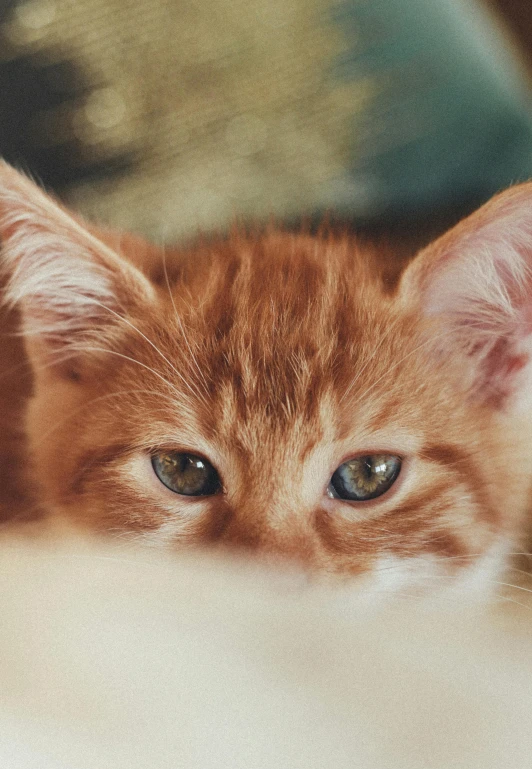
266,392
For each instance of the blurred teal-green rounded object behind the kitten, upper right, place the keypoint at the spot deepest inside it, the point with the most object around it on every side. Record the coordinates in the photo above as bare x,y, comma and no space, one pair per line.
450,119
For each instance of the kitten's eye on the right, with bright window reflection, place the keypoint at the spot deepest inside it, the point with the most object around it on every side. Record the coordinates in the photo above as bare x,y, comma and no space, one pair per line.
365,477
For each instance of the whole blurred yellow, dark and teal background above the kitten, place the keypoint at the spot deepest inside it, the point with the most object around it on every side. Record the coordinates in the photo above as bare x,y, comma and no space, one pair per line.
169,116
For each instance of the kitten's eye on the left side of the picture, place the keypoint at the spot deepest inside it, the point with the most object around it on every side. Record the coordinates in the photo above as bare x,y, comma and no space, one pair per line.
186,473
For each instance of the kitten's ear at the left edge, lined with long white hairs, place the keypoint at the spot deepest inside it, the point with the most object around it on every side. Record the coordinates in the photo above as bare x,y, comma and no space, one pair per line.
67,283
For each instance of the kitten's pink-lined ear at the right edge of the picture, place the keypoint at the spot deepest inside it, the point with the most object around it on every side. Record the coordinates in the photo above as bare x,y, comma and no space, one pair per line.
475,282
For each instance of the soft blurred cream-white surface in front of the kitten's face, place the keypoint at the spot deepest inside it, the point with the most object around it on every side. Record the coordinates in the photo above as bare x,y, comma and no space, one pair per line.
123,659
